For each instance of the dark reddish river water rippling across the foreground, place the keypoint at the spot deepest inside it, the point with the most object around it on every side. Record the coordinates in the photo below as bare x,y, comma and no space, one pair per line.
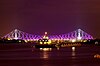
20,55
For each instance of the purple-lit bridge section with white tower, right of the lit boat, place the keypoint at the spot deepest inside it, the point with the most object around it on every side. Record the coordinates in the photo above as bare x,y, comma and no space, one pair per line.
77,34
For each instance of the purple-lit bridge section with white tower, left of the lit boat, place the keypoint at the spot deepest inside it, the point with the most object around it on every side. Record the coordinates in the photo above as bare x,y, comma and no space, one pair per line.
17,34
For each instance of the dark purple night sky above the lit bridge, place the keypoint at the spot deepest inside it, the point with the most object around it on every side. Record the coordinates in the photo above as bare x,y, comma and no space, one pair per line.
53,16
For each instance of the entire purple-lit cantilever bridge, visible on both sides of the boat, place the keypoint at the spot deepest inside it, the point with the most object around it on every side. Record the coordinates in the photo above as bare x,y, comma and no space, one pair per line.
77,34
